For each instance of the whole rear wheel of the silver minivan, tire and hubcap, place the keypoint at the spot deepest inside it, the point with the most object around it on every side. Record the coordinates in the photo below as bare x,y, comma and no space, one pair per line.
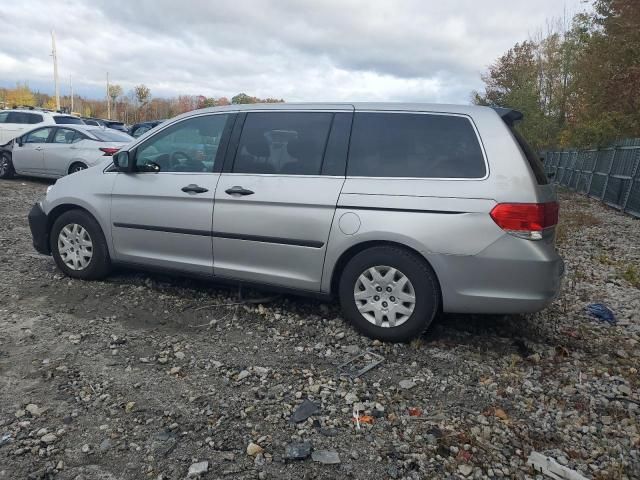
389,293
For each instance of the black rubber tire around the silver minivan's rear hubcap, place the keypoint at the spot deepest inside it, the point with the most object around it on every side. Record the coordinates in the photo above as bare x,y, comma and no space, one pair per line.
419,273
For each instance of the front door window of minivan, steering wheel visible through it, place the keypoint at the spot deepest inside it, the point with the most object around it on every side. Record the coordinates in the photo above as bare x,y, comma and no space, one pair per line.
187,146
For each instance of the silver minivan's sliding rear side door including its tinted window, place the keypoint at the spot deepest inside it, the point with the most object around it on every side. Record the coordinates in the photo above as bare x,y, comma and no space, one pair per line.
276,199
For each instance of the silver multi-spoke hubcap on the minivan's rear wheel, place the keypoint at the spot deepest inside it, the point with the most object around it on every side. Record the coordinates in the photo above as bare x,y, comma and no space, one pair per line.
384,296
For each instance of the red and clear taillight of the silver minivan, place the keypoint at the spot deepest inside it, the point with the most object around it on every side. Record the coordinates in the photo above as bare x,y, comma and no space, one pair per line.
525,220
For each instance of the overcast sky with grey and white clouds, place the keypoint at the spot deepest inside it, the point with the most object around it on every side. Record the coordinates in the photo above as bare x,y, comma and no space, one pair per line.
395,50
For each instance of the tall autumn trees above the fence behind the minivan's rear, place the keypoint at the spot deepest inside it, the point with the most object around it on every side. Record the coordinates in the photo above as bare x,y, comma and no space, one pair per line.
578,84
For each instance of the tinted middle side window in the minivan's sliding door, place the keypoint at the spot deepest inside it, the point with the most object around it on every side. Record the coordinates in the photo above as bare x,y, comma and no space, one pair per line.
283,143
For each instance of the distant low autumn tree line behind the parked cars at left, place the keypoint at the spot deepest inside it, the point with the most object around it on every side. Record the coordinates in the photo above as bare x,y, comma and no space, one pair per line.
136,106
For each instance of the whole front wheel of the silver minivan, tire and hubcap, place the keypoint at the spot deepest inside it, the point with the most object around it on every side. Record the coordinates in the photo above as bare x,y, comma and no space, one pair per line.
78,246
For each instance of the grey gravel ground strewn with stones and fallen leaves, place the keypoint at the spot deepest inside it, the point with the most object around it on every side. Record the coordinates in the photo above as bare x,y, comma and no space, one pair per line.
146,376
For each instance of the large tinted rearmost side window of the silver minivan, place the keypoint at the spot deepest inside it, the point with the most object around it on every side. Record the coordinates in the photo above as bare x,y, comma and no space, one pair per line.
415,146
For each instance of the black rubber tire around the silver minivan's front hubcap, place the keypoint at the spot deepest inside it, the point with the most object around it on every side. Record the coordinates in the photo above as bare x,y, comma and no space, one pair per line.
99,265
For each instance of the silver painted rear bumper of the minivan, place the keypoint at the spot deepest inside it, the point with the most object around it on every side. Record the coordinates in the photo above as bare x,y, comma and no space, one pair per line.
511,276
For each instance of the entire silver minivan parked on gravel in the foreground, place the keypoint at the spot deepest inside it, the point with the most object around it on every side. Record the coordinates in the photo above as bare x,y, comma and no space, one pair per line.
399,210
